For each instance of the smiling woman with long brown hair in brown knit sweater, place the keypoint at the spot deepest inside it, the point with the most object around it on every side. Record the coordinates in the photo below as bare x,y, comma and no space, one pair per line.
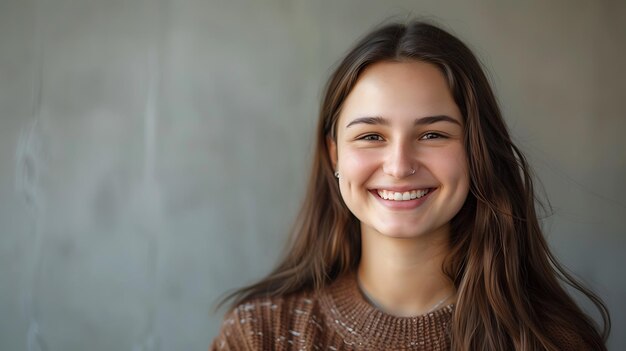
419,229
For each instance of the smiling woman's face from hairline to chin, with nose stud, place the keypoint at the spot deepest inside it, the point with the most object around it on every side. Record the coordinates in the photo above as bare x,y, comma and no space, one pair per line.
399,151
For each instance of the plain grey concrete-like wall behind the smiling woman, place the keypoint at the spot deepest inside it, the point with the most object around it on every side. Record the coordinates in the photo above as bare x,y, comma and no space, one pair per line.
153,154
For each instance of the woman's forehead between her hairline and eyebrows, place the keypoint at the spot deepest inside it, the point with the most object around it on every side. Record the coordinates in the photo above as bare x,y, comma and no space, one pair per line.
399,91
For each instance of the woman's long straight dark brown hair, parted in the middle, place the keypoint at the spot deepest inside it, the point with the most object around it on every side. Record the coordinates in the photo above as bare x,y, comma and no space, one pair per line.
508,281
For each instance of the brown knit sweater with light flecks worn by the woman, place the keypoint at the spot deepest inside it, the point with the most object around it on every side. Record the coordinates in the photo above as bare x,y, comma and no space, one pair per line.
338,318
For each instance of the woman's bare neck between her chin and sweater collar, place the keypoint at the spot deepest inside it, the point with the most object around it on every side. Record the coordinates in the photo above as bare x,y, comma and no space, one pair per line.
403,276
